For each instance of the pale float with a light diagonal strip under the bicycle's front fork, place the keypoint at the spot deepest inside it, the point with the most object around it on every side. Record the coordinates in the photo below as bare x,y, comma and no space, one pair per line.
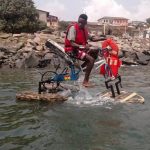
124,97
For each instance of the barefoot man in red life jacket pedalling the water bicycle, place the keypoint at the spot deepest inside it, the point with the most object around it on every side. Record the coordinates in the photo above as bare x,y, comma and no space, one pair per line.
76,44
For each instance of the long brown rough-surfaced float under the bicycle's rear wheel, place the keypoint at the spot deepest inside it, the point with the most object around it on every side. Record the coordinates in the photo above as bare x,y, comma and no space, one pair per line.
34,96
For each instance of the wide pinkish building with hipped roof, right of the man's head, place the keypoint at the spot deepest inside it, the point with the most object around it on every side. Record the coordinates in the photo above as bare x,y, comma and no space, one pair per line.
113,21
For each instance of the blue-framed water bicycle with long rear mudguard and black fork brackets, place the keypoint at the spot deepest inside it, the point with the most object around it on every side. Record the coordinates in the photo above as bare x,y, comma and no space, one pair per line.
51,80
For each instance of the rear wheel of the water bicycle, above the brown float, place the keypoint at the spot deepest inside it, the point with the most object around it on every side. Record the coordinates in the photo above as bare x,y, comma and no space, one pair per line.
49,84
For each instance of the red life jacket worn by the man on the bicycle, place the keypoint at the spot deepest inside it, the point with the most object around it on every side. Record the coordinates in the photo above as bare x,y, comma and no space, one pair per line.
81,37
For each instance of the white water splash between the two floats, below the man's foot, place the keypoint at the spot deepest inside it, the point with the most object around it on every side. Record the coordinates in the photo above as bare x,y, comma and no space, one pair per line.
87,96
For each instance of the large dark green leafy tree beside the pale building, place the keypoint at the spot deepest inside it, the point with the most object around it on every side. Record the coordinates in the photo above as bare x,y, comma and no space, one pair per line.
18,16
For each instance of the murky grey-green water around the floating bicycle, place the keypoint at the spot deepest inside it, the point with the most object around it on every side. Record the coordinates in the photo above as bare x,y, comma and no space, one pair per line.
78,124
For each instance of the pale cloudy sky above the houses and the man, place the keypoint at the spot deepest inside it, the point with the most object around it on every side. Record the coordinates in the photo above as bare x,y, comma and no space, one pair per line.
95,9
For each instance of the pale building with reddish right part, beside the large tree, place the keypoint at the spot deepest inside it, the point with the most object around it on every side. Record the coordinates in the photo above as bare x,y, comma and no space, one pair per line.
51,21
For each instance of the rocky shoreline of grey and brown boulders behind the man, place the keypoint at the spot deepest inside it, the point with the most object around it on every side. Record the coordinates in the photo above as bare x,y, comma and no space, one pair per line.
29,51
